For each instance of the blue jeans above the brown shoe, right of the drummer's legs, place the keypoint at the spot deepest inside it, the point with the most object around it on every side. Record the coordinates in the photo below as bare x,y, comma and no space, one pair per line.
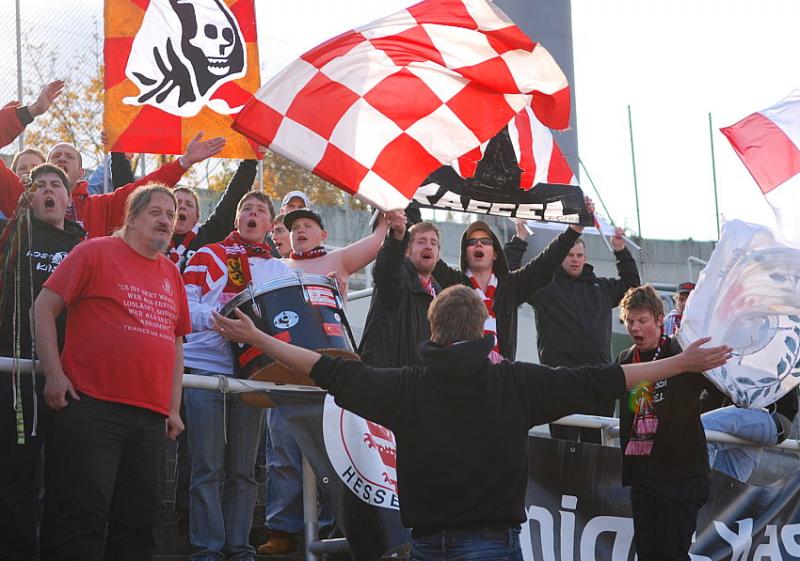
284,489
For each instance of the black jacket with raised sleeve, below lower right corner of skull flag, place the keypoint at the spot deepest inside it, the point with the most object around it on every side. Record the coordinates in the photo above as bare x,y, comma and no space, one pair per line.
220,223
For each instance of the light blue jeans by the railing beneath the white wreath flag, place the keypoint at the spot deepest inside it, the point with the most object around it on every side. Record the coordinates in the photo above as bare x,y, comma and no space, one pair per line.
755,425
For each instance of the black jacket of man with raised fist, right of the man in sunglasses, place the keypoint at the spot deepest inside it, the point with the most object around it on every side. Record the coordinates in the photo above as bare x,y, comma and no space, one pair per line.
573,315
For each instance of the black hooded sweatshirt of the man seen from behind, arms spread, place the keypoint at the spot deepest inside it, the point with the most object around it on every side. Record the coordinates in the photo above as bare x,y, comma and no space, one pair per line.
461,425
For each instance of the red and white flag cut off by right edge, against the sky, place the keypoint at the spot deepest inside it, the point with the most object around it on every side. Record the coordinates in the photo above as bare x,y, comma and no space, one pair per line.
768,143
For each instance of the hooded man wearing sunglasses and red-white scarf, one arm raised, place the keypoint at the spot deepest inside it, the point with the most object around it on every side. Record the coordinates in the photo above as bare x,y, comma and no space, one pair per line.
485,269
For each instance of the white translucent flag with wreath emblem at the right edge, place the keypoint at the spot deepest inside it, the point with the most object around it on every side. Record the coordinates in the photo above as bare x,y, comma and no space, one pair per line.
748,297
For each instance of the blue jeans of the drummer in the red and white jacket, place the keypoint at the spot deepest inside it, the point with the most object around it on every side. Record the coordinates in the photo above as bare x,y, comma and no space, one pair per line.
222,492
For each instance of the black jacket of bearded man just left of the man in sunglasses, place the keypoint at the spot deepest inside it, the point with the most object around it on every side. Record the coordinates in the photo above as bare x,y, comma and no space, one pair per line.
398,315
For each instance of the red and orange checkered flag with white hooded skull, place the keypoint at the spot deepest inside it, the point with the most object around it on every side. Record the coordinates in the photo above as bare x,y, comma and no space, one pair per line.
176,67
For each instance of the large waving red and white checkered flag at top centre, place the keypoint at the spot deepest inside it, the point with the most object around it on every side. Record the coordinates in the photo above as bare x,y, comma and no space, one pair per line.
377,109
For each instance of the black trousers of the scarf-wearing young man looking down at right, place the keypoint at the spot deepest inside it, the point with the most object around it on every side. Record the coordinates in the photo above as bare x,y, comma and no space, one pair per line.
665,517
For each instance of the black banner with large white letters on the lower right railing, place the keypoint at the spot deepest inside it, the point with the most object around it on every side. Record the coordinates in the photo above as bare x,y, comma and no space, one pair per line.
577,510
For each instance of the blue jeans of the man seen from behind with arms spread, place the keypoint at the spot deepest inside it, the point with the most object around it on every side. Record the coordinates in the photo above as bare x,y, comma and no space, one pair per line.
463,545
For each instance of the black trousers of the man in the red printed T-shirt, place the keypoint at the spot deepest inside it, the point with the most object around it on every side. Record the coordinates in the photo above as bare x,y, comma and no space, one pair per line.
110,466
